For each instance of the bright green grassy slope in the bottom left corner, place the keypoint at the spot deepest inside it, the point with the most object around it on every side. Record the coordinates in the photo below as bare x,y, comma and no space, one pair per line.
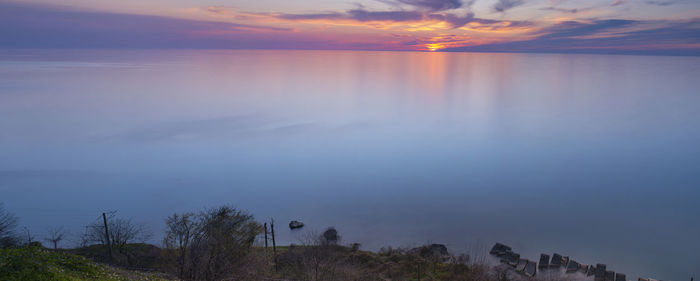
37,263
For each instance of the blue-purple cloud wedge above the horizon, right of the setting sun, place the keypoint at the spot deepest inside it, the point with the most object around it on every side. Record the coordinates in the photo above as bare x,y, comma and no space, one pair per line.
608,37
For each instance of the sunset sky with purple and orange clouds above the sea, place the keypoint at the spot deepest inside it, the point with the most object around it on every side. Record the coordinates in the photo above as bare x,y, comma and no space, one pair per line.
661,27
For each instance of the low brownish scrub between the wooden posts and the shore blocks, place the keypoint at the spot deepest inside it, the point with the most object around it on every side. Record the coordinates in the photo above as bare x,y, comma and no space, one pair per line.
324,261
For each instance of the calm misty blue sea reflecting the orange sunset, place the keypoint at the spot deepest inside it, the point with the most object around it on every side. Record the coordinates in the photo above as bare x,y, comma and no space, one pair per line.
595,157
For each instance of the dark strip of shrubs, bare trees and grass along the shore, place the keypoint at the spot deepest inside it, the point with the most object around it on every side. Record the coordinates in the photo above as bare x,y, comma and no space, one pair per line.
221,243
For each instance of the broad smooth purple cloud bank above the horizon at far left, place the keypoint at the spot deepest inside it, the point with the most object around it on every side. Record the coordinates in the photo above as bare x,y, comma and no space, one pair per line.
45,26
